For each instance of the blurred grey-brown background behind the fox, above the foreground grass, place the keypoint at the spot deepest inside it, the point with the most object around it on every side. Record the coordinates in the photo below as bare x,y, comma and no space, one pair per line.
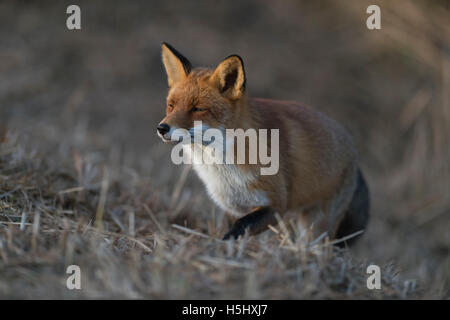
98,93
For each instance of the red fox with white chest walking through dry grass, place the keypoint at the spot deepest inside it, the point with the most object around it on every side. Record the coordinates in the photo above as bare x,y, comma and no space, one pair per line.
318,174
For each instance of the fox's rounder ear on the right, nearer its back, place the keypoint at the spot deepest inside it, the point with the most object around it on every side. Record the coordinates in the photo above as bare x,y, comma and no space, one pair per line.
229,76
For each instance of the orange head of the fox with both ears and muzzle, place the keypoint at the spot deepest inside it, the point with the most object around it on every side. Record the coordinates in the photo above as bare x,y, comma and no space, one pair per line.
213,97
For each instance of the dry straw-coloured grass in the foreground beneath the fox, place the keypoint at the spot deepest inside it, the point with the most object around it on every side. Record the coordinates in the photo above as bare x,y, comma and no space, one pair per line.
136,252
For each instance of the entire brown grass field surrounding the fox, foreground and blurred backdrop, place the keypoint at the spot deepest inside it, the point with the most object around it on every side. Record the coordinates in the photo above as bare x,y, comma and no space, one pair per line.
85,180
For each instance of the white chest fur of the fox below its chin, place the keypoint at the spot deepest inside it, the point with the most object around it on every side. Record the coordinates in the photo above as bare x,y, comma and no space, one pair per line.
227,184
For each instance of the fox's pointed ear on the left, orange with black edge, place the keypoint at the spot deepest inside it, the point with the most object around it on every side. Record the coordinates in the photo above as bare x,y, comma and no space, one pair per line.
177,66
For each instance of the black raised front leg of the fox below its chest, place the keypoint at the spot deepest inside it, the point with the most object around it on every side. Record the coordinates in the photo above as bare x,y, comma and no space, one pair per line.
256,222
